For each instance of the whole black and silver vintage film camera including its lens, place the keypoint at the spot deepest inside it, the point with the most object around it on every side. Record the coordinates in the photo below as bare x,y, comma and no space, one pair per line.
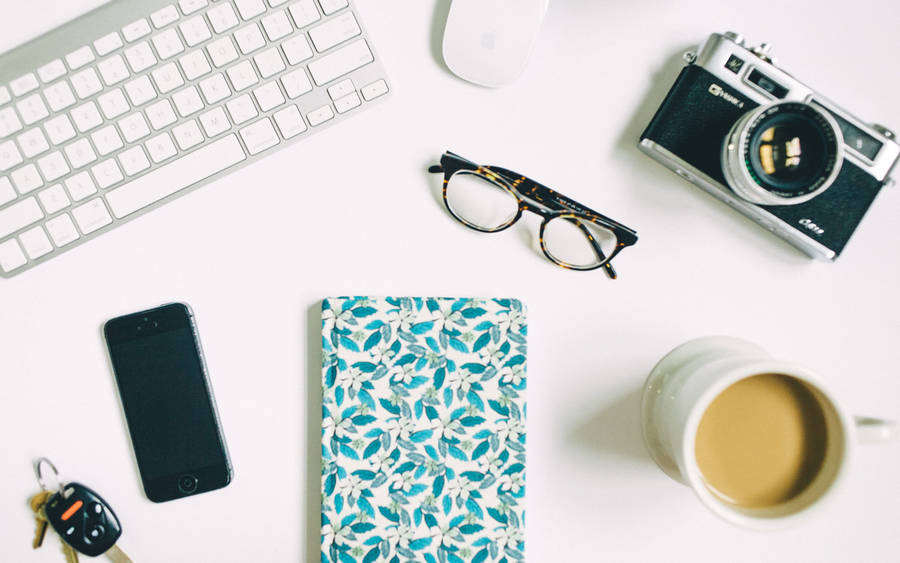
769,146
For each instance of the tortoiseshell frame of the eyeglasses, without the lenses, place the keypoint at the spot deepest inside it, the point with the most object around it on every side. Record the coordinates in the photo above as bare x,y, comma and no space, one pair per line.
537,198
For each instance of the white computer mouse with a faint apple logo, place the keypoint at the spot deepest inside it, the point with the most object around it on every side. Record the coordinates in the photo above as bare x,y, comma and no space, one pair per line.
489,42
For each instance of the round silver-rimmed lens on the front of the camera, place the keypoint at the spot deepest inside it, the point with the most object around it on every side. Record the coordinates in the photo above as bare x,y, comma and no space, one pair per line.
782,154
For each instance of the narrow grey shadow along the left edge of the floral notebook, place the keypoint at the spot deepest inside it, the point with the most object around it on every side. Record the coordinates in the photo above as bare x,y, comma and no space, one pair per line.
312,486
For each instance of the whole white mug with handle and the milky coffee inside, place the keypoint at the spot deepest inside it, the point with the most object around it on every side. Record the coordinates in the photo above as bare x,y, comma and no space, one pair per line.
761,442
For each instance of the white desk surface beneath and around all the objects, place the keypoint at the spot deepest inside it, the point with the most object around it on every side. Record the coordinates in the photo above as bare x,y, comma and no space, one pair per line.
352,211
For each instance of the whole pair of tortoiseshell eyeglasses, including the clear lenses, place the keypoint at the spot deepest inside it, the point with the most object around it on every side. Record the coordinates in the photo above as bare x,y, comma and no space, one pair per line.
490,199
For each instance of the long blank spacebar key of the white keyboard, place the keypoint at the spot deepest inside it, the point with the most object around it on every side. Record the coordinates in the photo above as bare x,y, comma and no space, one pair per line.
176,176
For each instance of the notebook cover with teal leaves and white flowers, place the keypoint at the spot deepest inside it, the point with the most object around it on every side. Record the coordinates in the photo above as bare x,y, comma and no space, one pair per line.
423,430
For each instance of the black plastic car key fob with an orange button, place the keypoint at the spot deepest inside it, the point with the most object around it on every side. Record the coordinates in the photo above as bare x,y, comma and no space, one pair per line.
83,520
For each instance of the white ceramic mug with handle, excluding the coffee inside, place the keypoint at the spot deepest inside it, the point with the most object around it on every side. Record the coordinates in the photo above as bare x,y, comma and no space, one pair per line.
685,382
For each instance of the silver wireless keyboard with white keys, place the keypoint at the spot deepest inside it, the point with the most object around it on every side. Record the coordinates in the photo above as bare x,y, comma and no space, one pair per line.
141,101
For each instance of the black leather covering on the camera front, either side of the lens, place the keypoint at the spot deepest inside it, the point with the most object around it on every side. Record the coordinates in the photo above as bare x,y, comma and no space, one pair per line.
693,124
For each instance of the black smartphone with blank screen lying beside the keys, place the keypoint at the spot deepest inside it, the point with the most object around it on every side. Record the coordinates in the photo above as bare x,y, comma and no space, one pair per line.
168,402
